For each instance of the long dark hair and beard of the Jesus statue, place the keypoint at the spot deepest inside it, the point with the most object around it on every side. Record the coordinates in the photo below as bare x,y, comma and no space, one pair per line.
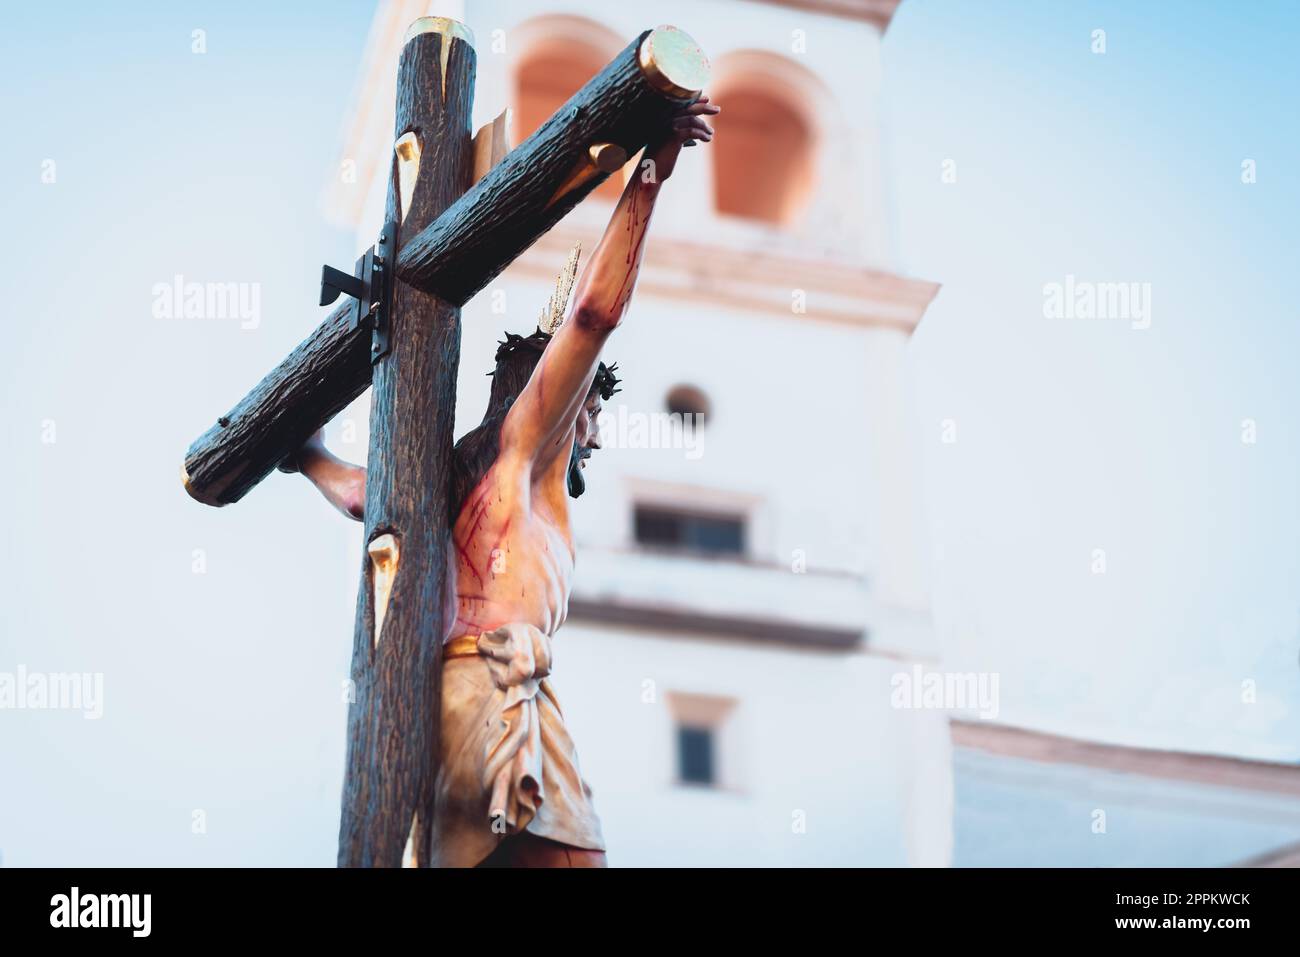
478,449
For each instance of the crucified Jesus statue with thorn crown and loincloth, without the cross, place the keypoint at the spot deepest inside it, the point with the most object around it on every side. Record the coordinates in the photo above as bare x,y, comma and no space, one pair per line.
509,791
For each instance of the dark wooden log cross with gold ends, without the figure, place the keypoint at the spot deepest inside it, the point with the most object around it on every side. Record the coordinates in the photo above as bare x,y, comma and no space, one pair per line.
452,224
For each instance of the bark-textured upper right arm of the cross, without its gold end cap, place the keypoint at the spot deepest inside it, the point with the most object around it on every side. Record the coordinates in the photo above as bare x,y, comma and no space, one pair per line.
506,211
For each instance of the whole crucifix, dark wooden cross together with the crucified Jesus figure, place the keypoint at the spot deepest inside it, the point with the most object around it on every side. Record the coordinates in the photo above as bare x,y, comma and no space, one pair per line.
458,752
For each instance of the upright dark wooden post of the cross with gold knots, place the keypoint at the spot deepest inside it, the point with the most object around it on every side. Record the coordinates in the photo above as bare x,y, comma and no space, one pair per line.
392,728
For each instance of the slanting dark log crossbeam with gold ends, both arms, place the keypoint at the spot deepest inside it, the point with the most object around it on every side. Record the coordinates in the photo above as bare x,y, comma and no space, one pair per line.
456,254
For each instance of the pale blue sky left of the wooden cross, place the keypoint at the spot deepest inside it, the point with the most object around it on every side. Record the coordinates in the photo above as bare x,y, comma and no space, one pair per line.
210,167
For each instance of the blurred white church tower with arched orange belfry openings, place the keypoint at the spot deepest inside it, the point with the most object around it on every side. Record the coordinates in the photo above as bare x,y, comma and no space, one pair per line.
747,592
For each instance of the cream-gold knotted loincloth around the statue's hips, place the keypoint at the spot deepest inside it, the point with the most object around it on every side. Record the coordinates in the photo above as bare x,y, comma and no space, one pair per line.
509,764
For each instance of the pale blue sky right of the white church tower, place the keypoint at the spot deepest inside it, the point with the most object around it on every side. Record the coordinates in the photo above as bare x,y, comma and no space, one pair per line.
1077,435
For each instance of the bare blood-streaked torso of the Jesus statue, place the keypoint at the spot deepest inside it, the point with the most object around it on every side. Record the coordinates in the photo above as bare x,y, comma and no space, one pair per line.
514,551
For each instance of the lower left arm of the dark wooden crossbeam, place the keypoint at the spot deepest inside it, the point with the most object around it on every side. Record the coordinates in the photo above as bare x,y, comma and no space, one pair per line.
317,382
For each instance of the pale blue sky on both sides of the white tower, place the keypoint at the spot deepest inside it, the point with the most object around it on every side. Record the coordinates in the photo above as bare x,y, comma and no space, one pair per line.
1072,435
